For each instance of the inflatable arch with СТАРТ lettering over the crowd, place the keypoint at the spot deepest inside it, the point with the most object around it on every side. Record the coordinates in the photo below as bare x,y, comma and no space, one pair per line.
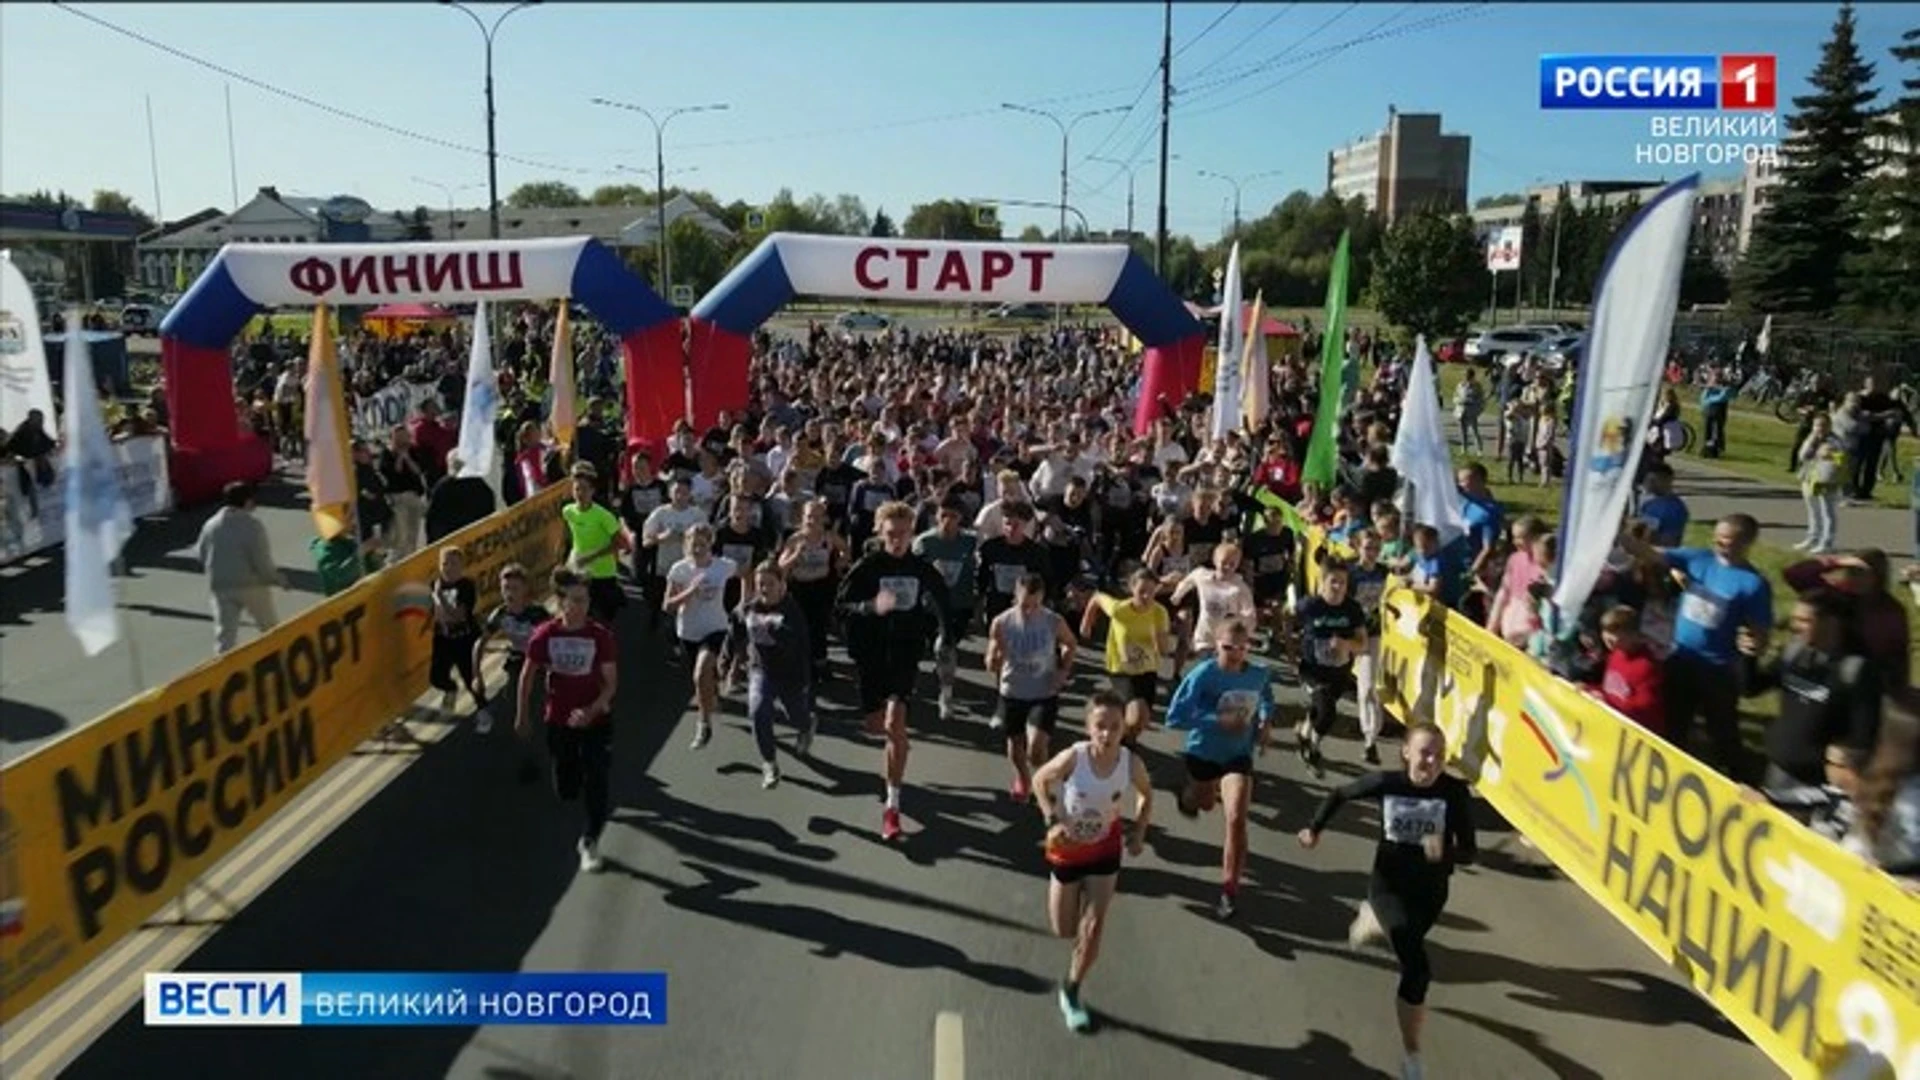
942,272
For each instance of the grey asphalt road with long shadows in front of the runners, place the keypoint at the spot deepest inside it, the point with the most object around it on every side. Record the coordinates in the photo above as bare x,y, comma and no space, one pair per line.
800,946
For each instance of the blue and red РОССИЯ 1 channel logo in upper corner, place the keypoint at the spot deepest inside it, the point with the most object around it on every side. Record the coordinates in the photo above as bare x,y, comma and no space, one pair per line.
1729,82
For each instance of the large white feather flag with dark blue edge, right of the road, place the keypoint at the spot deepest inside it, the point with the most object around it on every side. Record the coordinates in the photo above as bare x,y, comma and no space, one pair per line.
1620,385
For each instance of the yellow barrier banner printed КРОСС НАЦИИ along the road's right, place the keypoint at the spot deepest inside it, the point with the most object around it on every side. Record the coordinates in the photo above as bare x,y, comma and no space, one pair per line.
1810,950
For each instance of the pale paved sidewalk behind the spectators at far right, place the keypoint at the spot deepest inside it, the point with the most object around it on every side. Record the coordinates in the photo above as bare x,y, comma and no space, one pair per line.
1714,493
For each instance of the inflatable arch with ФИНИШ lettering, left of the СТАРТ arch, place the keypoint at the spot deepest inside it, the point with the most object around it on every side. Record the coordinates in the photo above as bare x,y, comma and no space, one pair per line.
210,449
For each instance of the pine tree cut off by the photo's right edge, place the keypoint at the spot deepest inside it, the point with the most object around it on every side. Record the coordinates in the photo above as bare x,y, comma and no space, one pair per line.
1884,280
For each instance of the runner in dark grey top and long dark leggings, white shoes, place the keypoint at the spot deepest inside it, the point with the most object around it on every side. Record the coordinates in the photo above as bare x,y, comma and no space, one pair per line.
771,631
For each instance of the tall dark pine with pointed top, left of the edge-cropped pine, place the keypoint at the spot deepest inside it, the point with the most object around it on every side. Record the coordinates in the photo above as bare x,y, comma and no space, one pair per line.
1813,224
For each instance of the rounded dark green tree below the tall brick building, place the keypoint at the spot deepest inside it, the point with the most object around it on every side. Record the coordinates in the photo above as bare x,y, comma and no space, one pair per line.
1428,276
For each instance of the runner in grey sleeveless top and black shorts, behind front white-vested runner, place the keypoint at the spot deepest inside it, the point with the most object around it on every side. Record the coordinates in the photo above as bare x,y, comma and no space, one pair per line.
1030,650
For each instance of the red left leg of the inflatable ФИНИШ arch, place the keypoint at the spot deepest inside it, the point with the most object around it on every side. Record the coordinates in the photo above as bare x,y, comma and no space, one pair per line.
210,449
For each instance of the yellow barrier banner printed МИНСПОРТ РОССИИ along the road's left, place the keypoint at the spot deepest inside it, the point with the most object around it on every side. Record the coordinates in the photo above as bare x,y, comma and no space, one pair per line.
101,829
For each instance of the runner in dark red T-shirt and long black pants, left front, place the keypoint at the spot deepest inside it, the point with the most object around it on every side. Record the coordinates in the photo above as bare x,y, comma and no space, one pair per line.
579,662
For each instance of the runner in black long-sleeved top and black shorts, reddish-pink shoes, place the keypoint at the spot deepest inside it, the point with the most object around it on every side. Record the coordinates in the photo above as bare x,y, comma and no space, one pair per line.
892,604
